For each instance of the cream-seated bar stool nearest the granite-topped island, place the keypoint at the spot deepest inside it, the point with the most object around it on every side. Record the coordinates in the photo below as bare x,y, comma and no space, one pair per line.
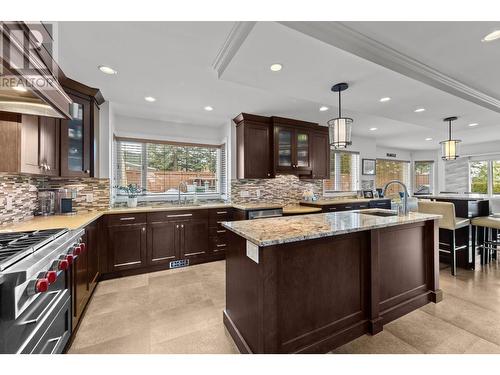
448,222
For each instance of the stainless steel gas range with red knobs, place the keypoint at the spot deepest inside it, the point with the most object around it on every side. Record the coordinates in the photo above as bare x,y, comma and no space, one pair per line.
35,289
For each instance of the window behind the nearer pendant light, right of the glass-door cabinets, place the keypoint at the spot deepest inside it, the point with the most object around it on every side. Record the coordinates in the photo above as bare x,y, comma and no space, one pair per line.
344,172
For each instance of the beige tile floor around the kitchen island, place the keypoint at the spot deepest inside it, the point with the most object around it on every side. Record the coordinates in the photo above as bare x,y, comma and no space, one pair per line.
180,311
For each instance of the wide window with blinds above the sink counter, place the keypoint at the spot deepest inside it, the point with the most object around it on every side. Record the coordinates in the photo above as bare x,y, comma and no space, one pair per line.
160,167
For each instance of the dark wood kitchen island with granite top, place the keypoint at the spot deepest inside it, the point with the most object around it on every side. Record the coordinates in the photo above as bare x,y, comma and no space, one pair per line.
311,283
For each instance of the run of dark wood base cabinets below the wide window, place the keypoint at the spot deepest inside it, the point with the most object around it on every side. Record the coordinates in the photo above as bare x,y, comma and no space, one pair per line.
151,241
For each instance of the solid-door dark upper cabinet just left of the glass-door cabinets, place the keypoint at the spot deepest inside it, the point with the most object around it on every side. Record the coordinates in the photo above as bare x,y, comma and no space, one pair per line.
254,158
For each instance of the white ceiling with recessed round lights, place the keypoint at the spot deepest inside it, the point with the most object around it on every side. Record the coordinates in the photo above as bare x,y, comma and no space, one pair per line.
172,61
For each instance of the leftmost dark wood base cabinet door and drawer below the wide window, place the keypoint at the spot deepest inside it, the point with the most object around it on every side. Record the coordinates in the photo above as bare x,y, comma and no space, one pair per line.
127,242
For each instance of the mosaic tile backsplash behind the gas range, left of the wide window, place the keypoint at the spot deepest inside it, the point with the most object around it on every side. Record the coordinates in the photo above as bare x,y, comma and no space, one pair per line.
18,194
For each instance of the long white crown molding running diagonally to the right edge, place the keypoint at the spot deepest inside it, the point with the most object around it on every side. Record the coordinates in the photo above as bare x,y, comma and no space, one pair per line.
342,36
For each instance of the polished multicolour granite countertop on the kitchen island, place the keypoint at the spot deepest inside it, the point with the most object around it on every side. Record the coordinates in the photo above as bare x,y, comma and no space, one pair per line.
275,231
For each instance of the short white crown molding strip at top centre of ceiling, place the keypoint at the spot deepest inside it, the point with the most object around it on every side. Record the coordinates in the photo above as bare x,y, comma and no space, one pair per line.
231,45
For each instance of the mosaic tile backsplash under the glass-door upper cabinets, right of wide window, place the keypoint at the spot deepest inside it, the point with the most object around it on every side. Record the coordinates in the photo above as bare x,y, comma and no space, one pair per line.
284,189
